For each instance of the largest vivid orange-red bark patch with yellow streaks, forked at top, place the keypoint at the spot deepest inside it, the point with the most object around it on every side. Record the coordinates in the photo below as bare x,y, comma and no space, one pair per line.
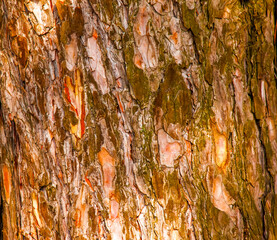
75,96
